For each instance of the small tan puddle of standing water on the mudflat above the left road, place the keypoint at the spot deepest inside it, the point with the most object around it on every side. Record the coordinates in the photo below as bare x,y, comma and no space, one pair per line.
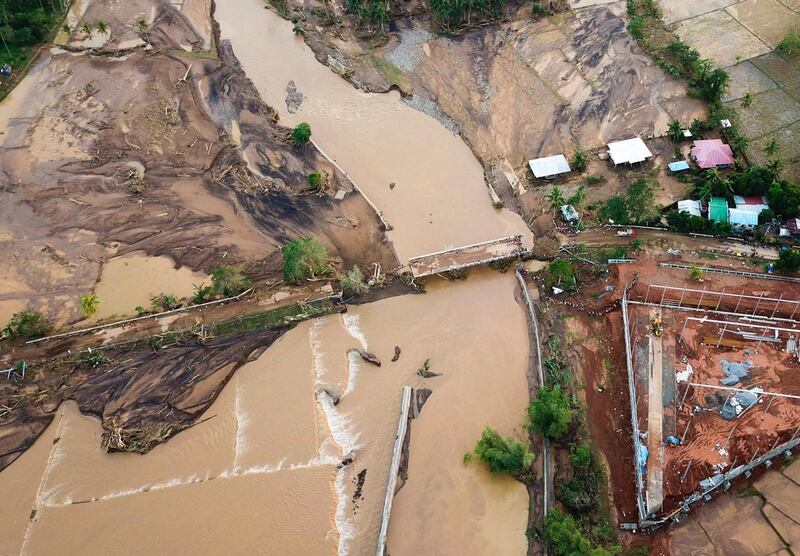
132,280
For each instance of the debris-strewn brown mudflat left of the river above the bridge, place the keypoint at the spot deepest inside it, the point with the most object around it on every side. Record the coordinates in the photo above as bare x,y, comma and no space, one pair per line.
99,127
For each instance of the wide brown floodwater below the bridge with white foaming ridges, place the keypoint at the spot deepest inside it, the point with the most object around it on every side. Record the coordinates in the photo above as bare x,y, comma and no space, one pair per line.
260,474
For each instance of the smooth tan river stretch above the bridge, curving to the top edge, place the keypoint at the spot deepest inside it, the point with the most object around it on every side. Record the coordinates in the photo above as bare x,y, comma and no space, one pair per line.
439,198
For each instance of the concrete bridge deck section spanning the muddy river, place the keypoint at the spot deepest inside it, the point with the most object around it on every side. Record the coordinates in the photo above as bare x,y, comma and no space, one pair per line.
460,258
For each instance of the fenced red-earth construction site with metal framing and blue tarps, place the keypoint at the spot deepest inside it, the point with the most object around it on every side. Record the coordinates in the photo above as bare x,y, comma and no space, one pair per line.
714,385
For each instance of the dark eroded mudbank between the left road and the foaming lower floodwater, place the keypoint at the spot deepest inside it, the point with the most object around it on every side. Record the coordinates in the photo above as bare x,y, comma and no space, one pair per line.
142,398
